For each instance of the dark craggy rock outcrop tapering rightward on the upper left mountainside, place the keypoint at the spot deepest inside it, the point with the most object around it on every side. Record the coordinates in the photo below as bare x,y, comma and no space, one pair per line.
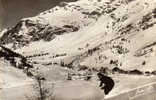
27,31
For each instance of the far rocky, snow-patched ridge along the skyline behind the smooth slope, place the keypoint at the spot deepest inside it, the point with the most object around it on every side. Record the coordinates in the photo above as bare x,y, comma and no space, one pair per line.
57,21
